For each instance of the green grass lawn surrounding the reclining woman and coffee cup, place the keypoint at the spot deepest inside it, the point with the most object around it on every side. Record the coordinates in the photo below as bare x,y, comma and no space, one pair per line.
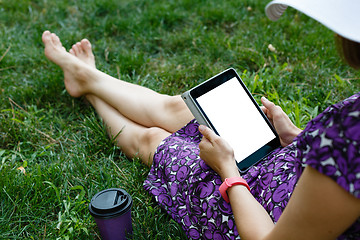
166,45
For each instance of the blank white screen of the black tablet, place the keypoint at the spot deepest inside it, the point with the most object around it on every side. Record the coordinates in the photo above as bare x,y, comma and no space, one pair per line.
236,118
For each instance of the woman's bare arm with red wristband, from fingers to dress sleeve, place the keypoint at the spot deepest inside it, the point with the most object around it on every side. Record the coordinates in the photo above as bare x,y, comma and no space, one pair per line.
318,209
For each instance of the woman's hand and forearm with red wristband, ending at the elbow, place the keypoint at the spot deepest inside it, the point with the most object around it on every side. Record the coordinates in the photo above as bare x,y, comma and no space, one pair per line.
252,221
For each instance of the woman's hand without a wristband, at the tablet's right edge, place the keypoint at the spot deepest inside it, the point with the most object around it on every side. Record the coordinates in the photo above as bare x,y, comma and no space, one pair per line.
284,127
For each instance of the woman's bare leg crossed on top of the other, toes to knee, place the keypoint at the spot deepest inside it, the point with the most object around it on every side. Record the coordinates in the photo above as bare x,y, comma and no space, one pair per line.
139,104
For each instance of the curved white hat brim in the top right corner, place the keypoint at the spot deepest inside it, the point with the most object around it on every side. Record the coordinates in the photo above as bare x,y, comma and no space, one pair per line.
341,16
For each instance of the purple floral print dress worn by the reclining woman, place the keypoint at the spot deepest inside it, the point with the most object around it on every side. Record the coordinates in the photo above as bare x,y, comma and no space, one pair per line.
189,190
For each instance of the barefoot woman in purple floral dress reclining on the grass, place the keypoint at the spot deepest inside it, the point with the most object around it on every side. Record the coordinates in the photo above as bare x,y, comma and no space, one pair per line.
189,165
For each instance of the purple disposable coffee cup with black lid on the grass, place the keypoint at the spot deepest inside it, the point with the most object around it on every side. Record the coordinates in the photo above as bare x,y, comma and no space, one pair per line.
111,209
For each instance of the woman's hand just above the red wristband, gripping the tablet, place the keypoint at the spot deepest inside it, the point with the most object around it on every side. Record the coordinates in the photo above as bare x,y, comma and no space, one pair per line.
217,154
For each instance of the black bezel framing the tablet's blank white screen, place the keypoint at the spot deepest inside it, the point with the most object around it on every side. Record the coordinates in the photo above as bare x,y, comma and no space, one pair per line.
216,81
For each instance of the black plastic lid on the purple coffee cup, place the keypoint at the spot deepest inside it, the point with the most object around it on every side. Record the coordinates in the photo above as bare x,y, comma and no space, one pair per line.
110,203
